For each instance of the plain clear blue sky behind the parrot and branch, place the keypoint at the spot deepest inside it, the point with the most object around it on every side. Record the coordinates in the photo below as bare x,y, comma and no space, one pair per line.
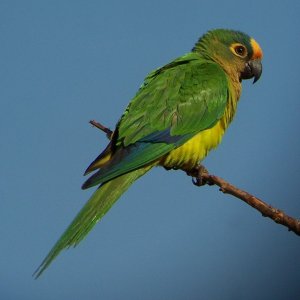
66,62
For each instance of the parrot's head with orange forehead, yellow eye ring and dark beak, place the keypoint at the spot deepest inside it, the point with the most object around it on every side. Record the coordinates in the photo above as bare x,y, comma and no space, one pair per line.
238,54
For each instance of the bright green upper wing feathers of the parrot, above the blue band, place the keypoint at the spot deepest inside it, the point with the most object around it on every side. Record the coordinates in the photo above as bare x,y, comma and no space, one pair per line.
187,95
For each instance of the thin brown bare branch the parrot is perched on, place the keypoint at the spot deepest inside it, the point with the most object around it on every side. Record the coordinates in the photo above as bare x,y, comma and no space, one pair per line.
202,177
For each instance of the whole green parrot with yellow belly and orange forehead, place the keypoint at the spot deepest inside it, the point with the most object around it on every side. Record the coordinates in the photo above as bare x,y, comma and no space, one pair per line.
178,115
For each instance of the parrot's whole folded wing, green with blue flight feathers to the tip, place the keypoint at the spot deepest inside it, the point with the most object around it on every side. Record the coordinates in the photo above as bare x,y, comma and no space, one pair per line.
175,102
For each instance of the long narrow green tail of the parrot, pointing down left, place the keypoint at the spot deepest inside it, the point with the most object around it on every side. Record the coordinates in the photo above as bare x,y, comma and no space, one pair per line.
92,212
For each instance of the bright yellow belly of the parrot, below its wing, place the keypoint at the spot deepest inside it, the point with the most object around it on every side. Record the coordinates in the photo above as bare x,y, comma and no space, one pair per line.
193,151
